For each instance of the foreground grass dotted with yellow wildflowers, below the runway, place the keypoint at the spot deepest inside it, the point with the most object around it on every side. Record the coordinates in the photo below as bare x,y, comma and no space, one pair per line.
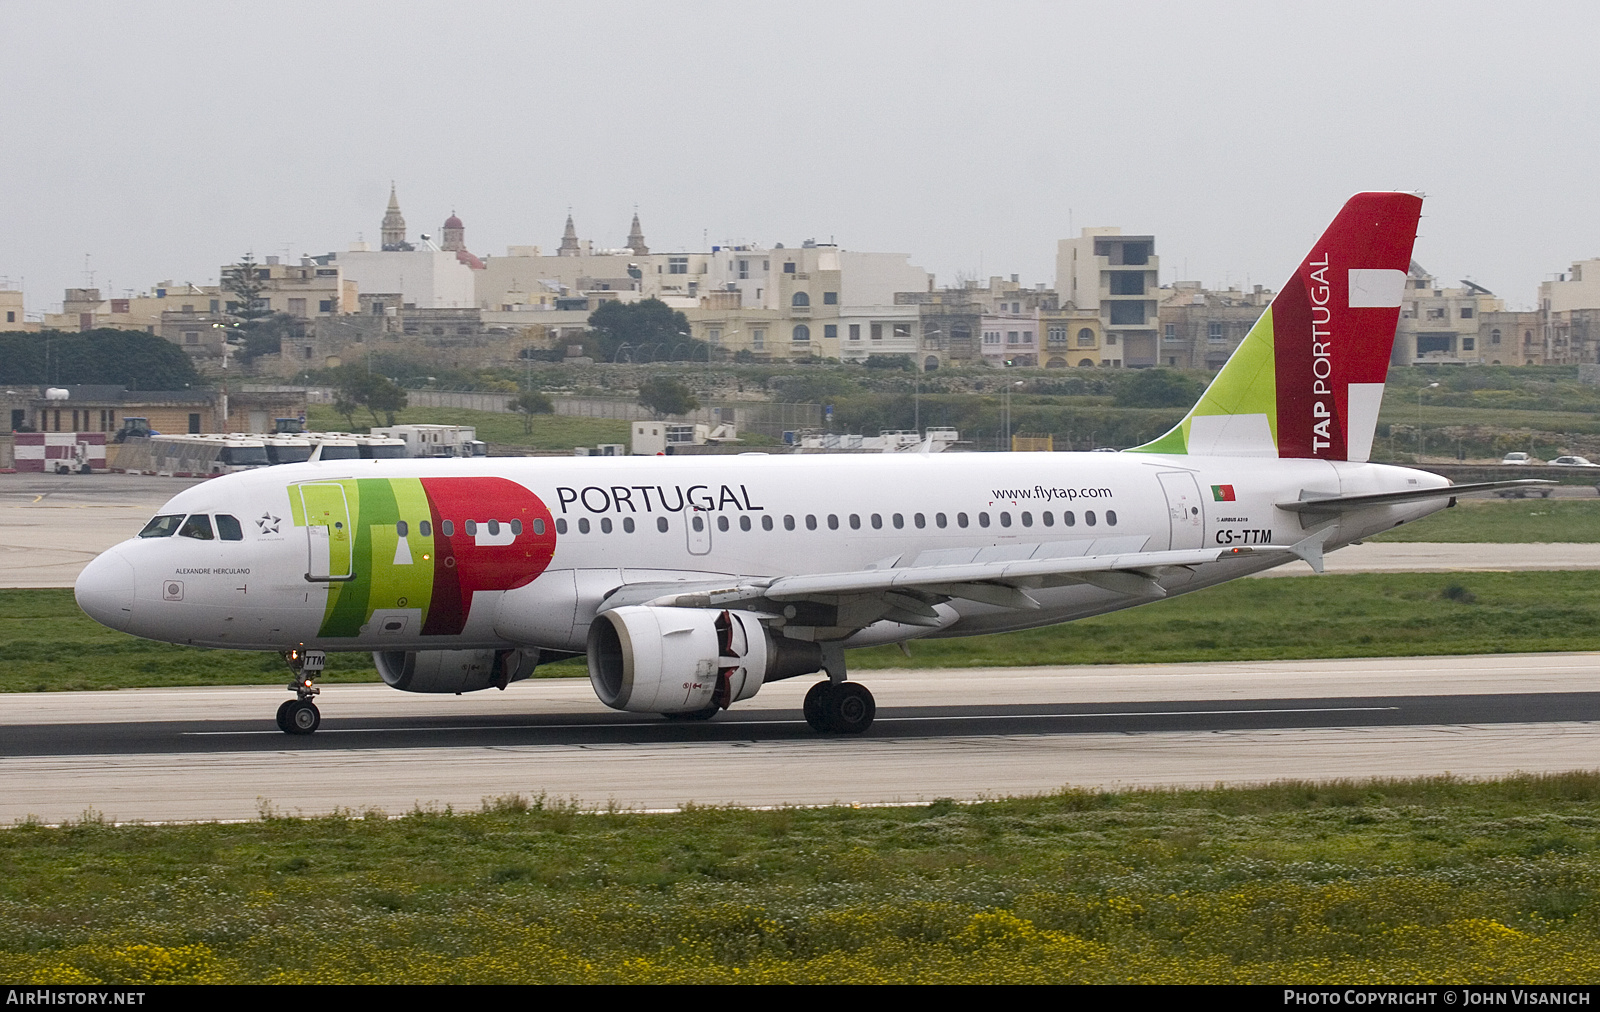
1425,881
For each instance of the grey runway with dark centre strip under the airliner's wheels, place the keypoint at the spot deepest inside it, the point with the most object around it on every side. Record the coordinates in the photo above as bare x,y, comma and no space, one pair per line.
214,753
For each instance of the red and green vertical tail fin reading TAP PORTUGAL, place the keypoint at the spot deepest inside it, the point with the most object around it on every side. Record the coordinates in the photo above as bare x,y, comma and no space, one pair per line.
1310,377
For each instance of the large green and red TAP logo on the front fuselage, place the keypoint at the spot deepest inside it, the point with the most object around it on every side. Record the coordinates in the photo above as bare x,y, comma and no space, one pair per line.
412,553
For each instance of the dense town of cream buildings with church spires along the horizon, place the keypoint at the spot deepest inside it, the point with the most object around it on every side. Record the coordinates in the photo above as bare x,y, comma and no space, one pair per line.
786,303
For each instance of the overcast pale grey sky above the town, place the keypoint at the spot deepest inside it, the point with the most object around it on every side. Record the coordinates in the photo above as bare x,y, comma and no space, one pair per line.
169,139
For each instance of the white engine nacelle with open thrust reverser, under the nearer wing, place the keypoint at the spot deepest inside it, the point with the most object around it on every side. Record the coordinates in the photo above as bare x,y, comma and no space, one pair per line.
684,661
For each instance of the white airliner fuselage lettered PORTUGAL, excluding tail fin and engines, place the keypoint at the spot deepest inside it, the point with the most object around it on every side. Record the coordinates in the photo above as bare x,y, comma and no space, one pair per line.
614,523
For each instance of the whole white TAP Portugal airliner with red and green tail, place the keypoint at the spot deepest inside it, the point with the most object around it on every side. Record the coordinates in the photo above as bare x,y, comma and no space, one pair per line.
690,582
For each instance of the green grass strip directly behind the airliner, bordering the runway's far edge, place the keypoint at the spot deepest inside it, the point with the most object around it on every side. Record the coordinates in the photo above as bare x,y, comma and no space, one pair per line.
50,646
